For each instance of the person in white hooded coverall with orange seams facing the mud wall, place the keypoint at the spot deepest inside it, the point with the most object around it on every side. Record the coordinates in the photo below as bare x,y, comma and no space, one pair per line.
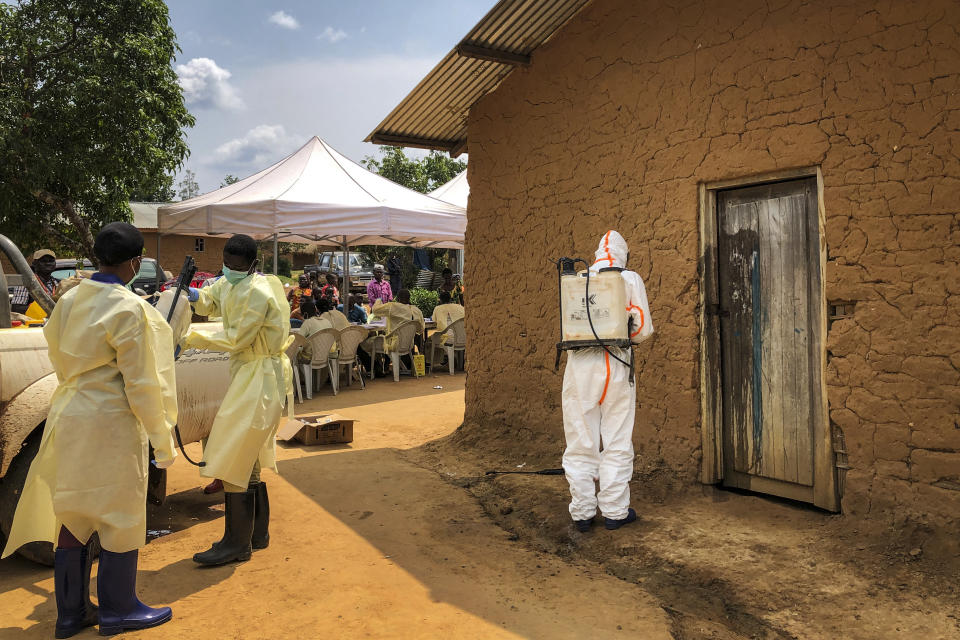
599,403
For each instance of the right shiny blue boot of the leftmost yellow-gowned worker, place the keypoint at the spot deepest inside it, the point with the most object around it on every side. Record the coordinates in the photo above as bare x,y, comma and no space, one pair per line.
120,609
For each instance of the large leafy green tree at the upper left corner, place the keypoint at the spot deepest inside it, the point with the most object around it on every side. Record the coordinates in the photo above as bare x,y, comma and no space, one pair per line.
90,113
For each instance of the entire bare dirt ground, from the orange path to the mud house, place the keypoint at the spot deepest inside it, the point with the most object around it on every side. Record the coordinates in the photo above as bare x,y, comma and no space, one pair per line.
400,535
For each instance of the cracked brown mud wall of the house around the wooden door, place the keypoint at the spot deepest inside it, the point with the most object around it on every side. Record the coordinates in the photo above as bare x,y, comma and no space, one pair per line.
634,103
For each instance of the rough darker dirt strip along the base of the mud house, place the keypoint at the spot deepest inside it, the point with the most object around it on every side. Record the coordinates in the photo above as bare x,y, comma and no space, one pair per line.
726,565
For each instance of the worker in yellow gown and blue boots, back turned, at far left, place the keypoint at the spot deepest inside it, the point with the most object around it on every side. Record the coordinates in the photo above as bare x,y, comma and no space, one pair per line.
113,356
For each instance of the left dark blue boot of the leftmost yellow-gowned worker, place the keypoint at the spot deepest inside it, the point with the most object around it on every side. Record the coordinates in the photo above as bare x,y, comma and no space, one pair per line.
71,584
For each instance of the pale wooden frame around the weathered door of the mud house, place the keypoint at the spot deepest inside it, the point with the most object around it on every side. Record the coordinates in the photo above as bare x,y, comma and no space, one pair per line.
711,382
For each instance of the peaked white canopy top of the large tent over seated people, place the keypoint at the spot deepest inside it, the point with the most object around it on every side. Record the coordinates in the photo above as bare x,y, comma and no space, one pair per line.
320,196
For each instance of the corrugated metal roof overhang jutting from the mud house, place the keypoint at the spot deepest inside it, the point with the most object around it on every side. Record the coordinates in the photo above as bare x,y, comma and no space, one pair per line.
434,114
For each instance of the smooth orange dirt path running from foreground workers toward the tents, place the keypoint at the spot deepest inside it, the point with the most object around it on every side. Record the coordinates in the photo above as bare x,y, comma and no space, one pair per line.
363,544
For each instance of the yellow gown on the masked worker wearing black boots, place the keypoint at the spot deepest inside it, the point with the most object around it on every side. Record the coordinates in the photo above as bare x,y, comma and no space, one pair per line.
256,332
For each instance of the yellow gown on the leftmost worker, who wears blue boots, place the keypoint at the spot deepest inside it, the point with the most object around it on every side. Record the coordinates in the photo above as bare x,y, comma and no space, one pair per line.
113,355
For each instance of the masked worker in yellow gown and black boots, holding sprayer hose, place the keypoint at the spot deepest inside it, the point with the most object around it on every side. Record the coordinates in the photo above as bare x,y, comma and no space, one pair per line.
256,333
